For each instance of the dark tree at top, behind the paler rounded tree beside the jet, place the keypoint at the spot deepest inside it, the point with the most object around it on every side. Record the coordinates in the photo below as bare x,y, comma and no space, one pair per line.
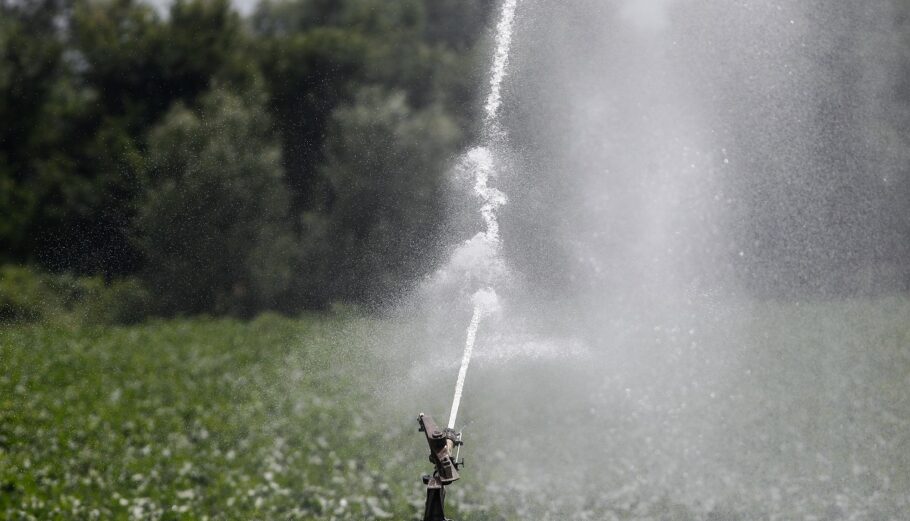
316,54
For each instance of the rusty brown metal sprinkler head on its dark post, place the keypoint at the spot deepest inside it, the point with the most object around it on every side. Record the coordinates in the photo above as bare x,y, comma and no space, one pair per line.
442,443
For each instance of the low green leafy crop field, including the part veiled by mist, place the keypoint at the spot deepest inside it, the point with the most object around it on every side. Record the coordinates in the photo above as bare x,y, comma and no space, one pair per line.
313,418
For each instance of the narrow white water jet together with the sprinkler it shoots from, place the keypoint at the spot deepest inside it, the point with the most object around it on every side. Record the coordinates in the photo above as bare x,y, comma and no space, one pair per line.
442,442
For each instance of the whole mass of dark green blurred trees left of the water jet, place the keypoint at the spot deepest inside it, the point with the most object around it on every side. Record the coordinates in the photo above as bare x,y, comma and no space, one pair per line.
286,160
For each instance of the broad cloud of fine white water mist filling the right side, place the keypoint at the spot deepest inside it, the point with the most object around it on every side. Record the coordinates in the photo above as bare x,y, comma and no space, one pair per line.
690,307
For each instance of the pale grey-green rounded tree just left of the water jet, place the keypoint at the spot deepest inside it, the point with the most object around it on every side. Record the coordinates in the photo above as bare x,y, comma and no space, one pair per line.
385,166
